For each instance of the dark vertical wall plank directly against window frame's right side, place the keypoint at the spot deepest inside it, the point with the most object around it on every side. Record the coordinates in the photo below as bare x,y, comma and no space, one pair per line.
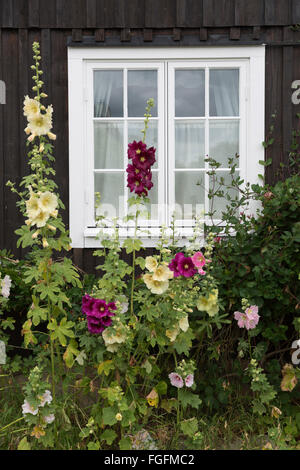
273,100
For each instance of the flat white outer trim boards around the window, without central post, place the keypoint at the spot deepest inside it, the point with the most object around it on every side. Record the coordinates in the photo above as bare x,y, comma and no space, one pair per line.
78,60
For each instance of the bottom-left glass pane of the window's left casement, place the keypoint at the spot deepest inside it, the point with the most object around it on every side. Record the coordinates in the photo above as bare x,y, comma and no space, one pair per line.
111,189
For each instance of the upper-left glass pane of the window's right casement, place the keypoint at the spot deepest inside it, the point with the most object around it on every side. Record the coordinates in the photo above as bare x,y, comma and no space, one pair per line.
189,93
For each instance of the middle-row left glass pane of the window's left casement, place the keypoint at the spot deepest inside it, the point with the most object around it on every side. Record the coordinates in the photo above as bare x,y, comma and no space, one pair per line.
108,141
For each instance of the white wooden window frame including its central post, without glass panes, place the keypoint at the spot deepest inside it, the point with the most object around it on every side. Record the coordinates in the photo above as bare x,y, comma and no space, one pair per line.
81,62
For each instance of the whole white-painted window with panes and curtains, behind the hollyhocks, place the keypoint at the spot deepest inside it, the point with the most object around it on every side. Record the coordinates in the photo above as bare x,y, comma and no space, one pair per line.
209,101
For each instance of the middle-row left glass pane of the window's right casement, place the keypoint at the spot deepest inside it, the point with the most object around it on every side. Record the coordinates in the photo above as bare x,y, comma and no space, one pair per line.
189,144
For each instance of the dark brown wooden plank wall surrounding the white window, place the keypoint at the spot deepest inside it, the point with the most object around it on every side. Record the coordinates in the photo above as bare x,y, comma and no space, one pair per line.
54,23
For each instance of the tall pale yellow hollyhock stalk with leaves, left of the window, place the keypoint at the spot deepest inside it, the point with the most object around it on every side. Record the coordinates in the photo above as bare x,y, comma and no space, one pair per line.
44,230
